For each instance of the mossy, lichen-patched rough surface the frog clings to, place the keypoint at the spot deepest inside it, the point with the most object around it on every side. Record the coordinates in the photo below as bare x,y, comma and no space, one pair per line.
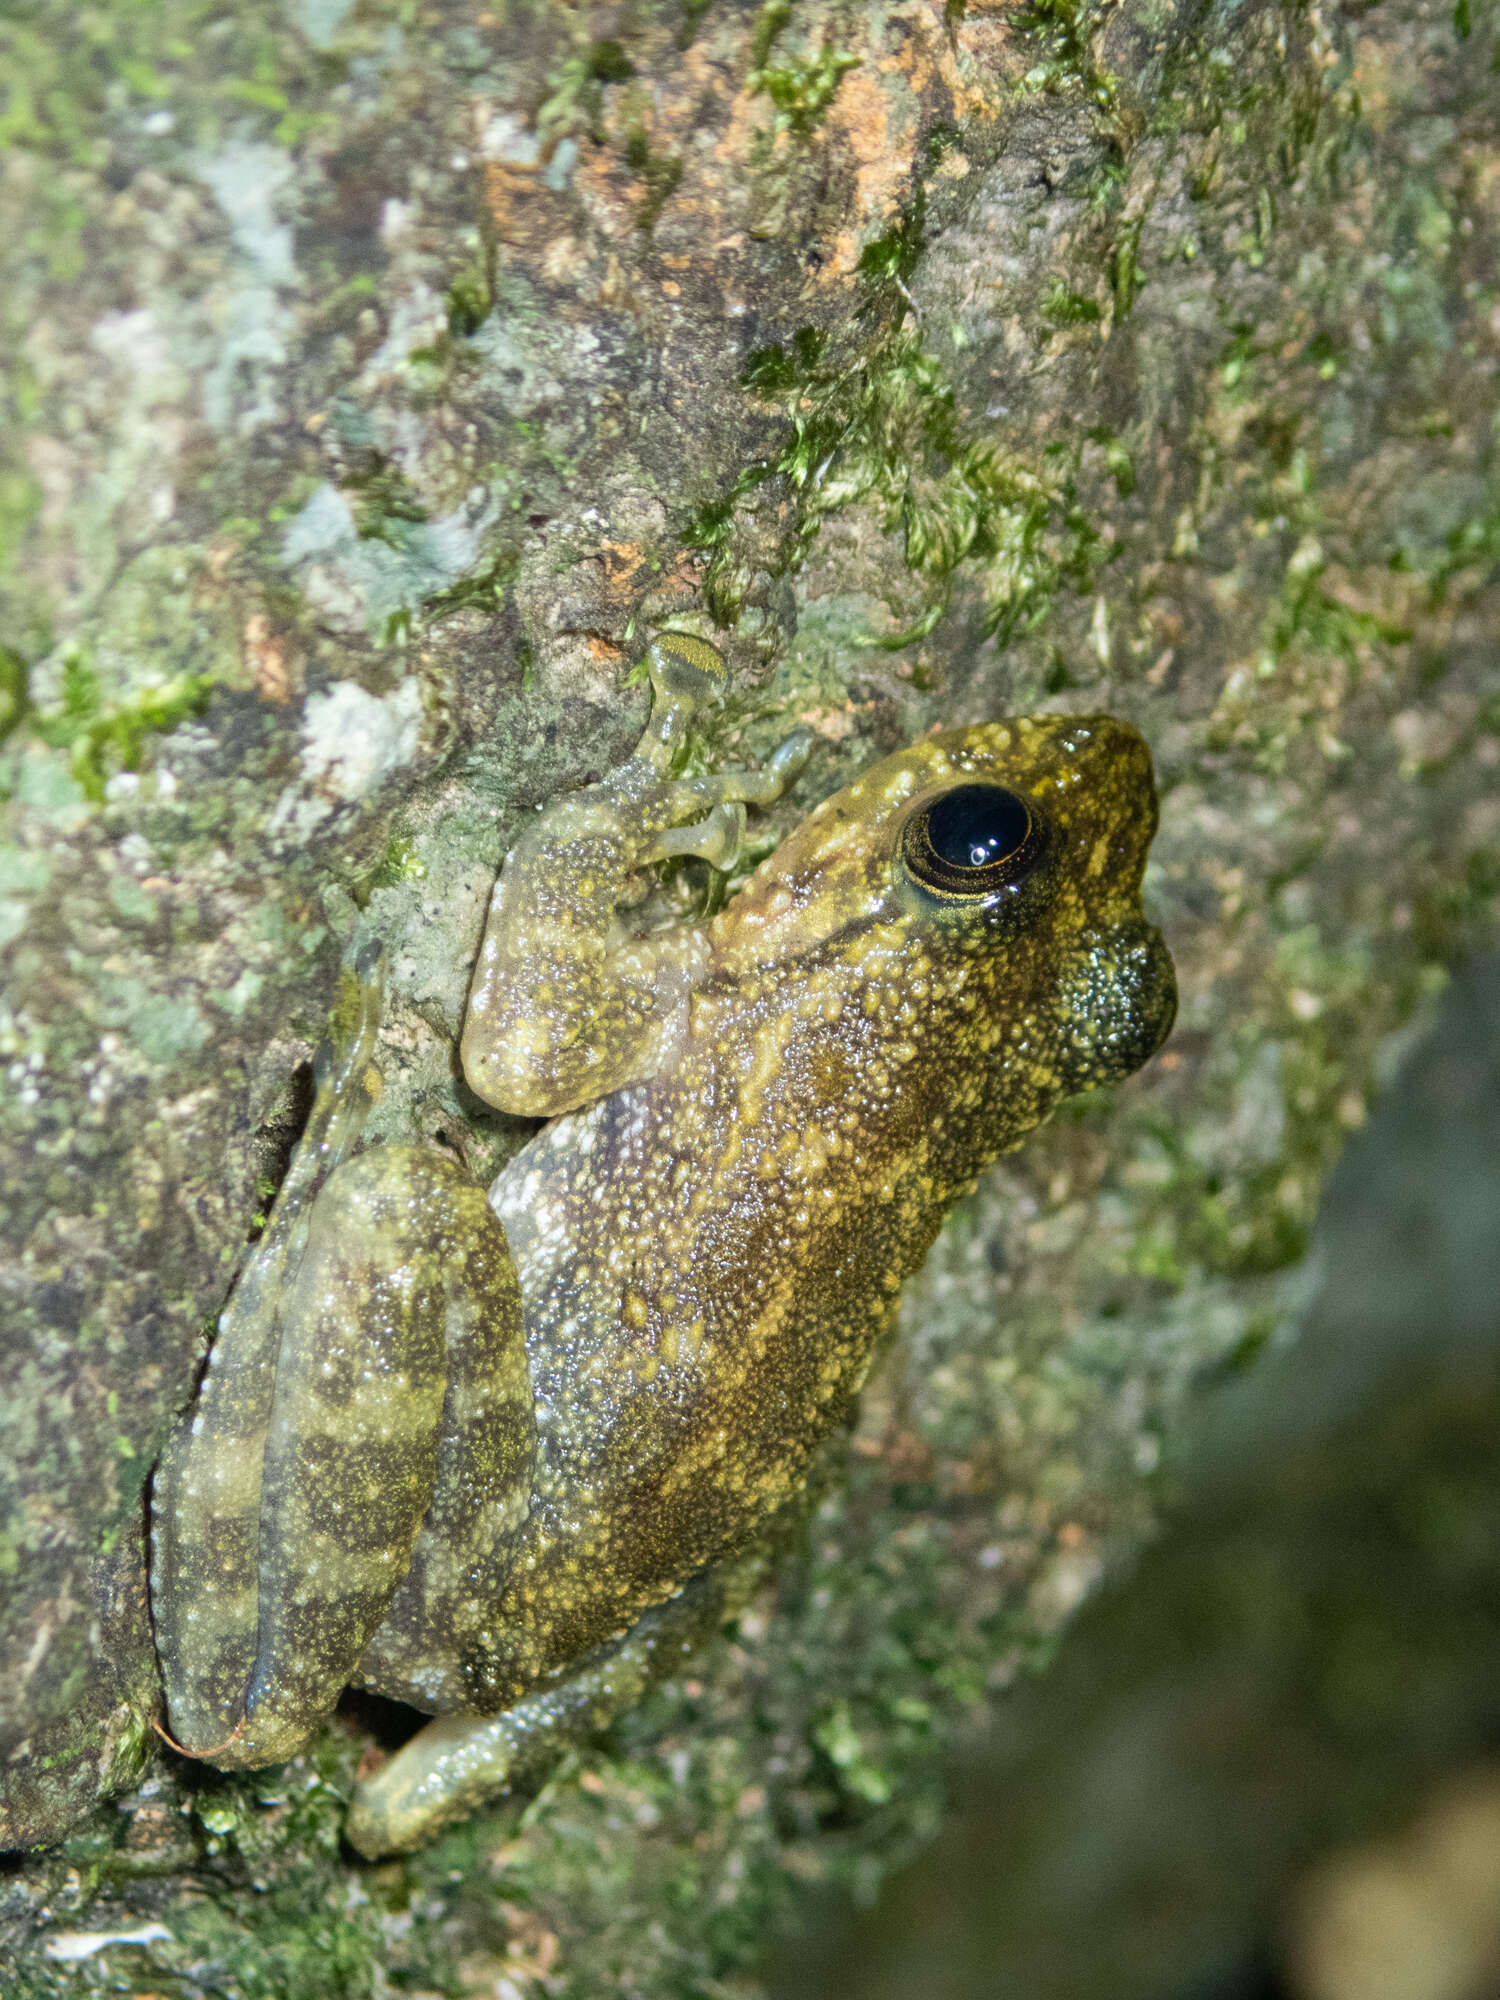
377,377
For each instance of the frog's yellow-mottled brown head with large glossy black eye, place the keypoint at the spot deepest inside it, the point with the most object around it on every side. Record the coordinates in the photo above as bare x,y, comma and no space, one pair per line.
989,881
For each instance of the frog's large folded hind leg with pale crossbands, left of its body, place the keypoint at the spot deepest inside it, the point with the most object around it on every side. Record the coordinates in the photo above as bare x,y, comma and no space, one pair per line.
289,1511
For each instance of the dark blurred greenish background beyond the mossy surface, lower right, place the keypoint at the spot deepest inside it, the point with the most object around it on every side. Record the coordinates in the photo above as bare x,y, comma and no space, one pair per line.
1305,1655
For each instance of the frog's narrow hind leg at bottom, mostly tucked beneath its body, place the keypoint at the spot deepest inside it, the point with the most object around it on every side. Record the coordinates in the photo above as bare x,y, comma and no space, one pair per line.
459,1763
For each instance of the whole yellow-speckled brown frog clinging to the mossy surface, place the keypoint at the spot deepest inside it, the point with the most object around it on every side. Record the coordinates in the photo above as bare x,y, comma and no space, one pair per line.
505,1455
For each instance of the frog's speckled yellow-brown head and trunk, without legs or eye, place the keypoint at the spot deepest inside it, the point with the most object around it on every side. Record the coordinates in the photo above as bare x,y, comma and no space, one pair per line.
707,1259
